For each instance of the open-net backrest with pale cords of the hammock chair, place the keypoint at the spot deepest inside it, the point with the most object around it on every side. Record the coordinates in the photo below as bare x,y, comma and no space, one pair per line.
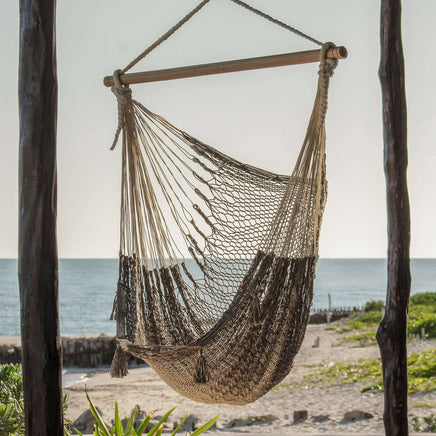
225,213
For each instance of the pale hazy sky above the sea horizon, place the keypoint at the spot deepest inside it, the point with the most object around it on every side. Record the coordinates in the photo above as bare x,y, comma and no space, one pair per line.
258,117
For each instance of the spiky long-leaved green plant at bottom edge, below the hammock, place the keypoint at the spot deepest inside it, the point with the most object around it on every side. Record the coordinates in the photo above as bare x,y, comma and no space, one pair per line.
129,430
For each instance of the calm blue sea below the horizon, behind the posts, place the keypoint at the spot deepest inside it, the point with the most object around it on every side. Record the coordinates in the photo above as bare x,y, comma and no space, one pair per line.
87,288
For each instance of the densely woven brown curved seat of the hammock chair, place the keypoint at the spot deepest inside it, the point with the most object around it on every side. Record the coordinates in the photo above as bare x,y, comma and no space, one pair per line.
239,360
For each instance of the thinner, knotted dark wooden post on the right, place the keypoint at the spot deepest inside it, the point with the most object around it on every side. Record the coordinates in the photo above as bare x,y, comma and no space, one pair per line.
392,332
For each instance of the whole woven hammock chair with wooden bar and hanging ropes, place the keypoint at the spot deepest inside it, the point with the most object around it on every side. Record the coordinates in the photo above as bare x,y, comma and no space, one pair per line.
224,326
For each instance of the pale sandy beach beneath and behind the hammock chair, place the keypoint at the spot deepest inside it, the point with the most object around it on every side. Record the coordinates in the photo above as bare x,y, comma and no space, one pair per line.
272,413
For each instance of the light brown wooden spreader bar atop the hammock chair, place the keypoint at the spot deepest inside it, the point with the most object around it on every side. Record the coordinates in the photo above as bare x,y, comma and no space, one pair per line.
302,57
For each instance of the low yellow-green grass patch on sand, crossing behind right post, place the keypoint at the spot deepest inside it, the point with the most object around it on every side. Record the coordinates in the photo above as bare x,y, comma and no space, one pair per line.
421,370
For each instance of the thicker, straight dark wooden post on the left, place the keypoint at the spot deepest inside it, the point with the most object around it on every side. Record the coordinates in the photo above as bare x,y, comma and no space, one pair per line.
37,256
